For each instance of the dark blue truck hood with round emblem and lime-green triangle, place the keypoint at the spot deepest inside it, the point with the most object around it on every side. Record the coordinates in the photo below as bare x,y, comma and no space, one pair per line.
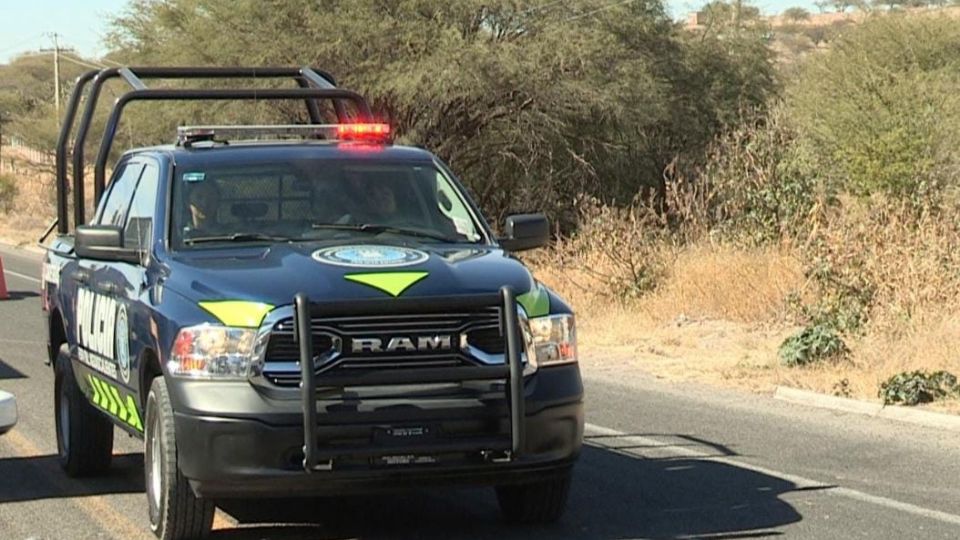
274,274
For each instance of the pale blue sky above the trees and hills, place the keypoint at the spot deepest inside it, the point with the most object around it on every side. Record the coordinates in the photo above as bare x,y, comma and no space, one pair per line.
26,25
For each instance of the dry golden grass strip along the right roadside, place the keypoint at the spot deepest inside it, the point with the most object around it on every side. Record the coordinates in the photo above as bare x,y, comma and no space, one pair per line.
719,313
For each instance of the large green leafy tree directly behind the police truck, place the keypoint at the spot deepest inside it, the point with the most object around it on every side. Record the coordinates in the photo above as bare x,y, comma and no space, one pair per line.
534,103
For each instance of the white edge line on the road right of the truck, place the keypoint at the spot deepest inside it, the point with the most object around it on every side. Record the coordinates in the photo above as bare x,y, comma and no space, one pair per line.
800,481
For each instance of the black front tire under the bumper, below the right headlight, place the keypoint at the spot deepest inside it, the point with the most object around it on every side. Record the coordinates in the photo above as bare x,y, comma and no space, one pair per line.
535,503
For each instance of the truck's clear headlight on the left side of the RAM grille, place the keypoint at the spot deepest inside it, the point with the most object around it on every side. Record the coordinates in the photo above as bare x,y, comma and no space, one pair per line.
212,352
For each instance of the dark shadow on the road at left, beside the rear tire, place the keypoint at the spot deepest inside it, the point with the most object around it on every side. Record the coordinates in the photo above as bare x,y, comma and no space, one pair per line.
40,477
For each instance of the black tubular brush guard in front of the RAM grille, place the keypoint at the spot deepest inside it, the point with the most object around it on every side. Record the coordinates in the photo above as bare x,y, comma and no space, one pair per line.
496,448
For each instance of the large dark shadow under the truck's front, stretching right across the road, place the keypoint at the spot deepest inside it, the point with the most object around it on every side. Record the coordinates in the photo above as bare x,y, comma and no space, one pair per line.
614,496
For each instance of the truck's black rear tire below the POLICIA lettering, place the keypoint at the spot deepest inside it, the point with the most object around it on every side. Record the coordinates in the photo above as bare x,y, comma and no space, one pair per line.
84,434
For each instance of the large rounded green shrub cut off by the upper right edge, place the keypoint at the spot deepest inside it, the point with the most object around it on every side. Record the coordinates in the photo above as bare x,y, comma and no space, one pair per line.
880,109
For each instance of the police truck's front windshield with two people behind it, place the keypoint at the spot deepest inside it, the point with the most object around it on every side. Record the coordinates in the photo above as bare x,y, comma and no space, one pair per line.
317,200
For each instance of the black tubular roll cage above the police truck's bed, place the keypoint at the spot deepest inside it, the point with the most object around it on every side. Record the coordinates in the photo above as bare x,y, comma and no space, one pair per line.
313,85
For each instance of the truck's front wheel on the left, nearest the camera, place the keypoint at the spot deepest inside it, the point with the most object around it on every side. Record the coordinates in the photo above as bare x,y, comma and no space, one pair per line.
175,512
